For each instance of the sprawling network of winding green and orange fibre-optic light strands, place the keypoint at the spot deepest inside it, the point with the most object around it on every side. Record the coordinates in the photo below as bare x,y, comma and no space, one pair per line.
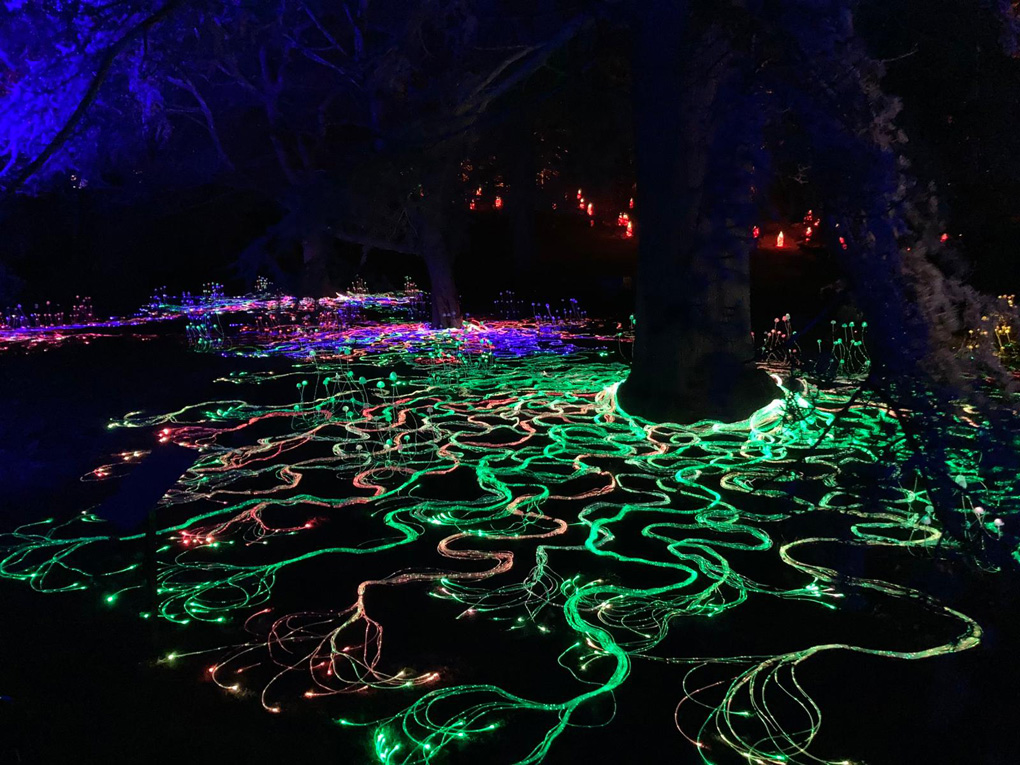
489,474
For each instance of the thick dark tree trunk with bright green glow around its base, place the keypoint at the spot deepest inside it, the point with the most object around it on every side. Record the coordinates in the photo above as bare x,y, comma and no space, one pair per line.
694,353
